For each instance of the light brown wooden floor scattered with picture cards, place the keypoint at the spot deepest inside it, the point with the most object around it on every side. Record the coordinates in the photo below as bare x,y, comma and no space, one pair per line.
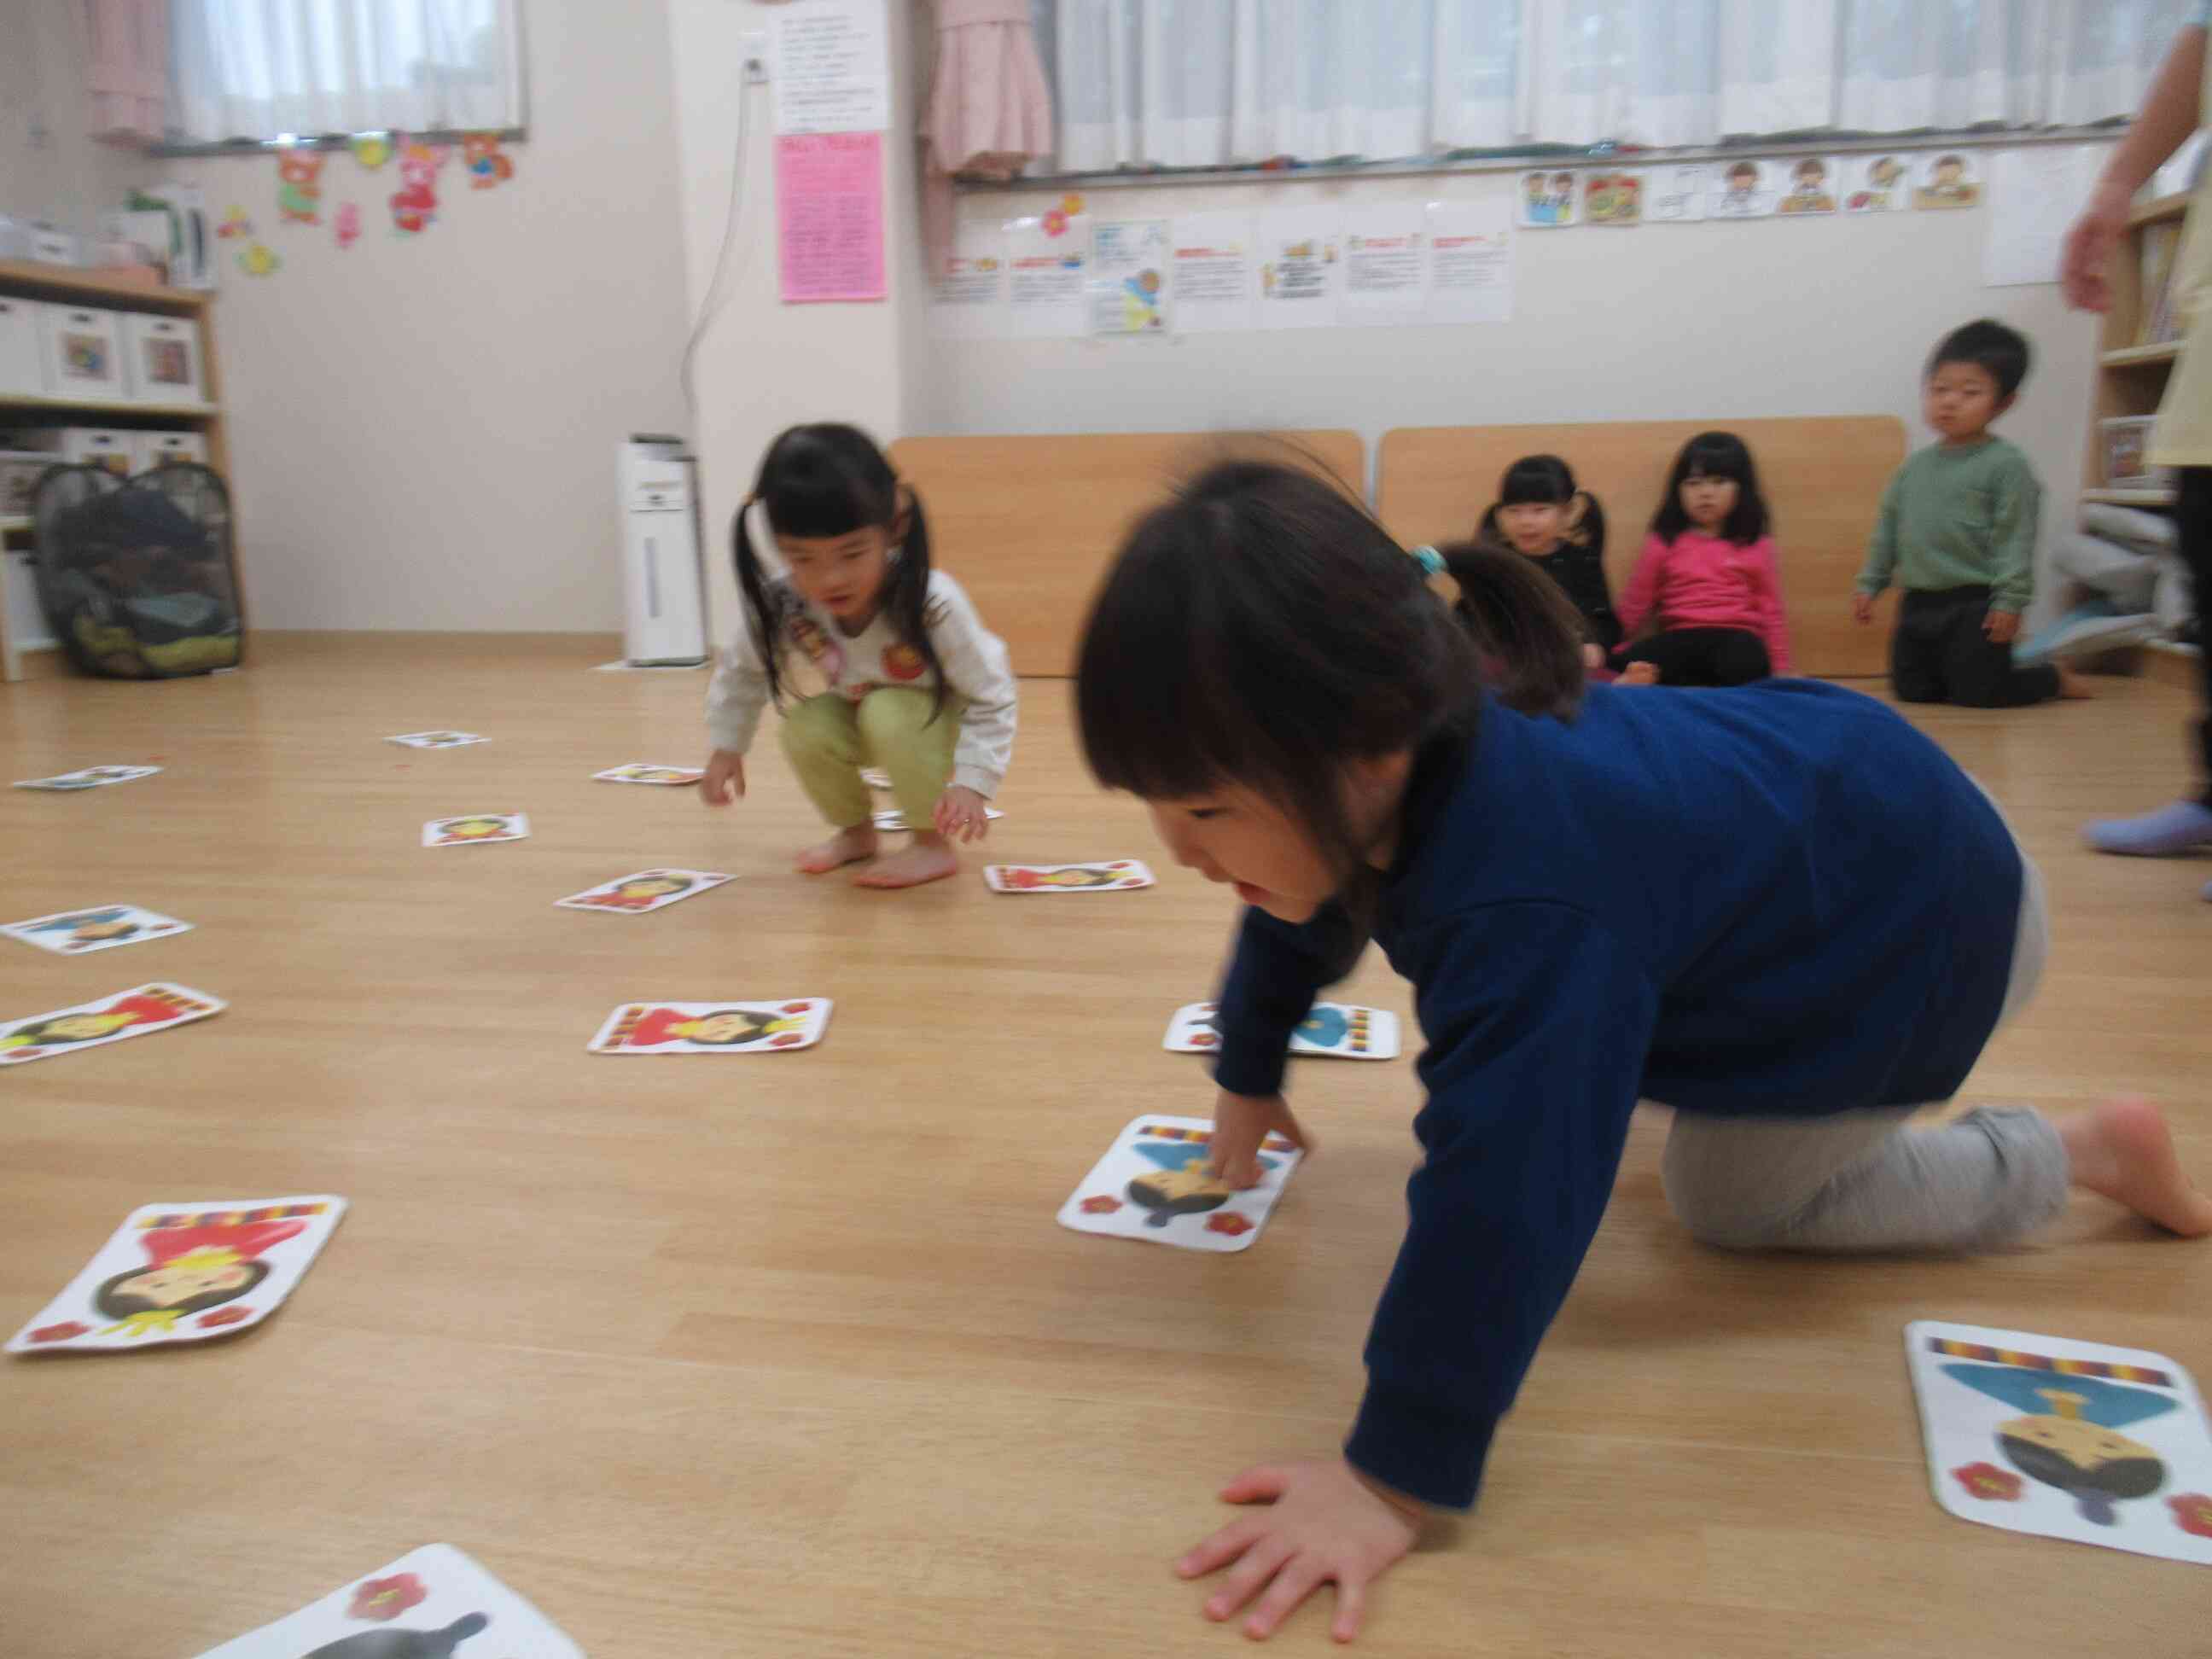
786,1355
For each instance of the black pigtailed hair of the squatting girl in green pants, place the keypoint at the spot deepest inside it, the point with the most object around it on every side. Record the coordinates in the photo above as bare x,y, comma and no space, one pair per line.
833,481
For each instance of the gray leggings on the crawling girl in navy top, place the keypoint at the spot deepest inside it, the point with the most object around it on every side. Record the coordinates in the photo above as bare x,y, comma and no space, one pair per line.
1866,1180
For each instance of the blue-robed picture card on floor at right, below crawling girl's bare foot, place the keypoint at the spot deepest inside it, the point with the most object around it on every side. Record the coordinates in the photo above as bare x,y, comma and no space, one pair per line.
2080,1441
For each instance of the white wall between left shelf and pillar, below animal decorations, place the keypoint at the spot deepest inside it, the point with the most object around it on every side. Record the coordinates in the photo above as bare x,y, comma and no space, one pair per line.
424,428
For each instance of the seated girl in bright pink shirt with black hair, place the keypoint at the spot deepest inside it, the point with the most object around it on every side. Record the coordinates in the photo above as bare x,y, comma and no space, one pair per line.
1707,576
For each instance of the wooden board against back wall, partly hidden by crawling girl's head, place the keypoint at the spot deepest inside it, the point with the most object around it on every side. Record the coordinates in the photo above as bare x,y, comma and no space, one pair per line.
1030,523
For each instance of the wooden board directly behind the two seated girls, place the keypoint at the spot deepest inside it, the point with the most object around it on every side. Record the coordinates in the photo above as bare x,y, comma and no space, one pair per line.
1824,481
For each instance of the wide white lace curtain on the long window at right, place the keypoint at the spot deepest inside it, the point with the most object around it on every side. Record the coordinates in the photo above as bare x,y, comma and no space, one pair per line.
1215,83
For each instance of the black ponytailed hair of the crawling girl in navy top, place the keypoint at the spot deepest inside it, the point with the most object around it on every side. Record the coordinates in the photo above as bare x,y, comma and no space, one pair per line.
1264,629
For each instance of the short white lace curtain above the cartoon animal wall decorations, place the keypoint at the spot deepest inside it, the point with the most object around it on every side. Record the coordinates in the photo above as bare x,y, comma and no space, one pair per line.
258,70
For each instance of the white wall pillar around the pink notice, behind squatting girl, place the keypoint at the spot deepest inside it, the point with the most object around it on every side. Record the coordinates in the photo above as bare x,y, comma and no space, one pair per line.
769,366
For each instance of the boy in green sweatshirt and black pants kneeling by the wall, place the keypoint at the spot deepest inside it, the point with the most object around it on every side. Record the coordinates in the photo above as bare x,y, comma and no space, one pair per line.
1959,534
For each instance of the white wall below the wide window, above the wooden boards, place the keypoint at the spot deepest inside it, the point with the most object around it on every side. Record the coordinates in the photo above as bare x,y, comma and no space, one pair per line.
1786,317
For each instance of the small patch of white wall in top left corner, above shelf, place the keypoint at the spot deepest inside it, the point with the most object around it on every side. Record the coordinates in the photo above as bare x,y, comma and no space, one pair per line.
50,169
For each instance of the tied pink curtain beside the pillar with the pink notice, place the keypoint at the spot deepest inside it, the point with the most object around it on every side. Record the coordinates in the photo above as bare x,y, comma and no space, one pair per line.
990,109
